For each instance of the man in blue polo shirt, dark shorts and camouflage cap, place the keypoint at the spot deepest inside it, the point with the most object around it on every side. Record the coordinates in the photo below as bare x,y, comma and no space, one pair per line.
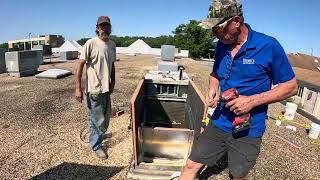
250,62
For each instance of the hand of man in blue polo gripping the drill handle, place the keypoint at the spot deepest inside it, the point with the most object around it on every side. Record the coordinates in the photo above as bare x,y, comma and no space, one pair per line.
241,105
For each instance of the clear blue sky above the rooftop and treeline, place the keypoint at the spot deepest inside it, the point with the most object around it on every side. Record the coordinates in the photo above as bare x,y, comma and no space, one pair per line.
294,23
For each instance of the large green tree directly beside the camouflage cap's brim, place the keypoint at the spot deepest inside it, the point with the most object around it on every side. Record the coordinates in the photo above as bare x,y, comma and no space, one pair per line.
194,38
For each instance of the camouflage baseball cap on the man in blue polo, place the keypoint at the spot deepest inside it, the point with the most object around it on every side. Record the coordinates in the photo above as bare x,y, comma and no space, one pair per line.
221,9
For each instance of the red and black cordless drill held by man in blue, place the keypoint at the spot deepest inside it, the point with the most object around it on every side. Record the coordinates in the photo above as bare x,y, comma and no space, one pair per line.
242,122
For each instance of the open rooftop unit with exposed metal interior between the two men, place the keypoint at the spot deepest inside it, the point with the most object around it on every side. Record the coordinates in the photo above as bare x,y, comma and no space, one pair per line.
166,113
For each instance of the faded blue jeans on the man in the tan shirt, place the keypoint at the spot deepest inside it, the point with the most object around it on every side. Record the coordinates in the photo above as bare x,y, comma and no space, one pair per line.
99,111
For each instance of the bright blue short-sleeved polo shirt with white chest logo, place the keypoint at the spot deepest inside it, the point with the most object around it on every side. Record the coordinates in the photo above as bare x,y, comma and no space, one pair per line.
259,63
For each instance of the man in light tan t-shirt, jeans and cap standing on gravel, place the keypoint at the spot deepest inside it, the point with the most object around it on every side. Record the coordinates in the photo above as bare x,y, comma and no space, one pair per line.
99,55
